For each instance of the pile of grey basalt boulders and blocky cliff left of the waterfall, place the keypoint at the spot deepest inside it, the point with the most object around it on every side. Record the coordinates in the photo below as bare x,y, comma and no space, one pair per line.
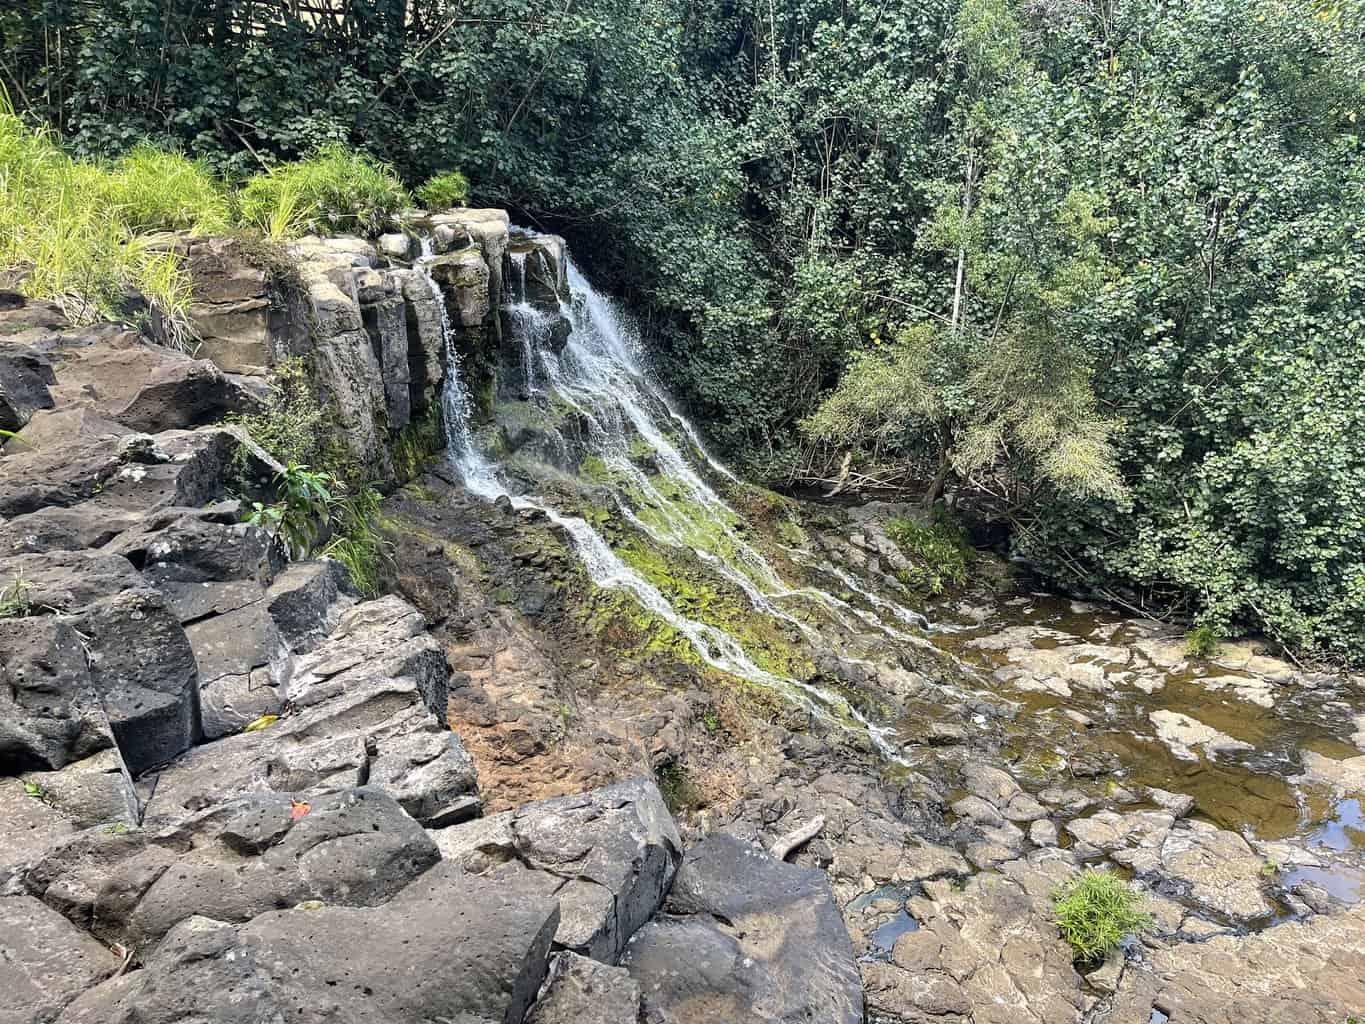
230,786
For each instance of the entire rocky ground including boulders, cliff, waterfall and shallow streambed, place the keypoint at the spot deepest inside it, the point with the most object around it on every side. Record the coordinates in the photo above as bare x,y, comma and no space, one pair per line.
723,767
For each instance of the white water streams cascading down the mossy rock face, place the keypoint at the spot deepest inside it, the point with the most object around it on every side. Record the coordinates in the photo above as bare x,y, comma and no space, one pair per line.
599,376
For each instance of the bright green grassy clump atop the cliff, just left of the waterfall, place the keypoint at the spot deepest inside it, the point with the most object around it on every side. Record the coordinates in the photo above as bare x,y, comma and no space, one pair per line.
334,190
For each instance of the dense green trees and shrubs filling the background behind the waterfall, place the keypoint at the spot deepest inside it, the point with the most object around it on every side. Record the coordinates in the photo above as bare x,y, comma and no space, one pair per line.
1095,270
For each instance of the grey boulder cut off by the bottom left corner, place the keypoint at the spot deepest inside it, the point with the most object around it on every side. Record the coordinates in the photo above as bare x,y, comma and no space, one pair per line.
46,962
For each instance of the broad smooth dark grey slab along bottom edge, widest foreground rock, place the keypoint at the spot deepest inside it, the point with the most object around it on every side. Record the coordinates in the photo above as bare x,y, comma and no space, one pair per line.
451,947
